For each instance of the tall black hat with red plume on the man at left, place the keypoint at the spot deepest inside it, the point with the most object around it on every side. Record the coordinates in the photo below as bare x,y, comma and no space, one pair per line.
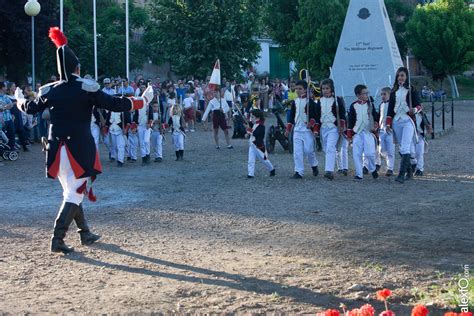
67,61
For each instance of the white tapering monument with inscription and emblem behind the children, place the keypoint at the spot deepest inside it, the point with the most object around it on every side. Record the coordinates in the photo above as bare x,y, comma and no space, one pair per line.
367,52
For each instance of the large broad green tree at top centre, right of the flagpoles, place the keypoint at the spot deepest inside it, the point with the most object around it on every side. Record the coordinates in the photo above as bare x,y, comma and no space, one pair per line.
192,34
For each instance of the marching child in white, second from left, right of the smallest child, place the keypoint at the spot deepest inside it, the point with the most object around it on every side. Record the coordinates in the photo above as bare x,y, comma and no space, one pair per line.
302,121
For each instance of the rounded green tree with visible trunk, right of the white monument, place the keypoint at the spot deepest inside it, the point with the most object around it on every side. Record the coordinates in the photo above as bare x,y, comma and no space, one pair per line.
441,36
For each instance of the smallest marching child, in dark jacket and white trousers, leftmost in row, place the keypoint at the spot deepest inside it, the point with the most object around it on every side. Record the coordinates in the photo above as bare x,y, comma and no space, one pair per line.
256,135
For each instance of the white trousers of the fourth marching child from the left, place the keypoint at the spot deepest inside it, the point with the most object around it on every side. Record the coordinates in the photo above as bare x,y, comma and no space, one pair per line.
363,144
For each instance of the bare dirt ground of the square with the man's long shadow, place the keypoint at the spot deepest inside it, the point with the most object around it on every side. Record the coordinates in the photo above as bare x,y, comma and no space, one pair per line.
198,237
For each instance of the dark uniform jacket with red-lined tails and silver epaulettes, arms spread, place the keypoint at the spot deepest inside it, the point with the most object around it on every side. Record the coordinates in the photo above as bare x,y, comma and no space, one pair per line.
70,104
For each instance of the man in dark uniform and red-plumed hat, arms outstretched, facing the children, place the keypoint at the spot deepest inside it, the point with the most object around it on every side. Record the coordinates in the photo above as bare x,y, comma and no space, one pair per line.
71,154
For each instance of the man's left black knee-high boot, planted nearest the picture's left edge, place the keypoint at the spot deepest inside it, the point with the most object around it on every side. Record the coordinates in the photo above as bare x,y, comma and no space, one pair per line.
61,225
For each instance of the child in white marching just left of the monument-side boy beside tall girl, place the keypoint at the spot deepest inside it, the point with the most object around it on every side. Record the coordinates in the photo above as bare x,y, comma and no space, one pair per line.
362,123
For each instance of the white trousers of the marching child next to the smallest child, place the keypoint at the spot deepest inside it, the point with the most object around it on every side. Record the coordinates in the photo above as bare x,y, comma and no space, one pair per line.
303,145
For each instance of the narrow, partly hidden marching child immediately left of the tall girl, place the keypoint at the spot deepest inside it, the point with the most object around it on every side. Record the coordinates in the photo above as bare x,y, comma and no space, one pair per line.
386,149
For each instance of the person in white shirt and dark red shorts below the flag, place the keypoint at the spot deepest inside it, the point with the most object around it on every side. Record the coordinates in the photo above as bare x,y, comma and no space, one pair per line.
219,109
